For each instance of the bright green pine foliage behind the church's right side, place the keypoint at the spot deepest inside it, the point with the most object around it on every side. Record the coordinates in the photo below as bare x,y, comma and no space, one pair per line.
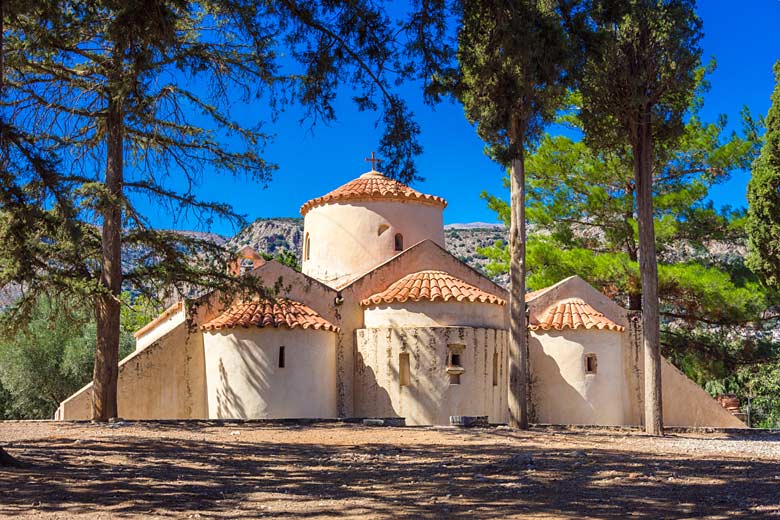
581,211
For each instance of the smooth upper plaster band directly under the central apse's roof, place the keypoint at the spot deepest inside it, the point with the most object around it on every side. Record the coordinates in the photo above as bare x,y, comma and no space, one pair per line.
435,314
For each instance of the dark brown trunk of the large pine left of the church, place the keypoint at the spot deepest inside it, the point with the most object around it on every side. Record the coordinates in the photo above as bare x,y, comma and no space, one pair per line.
104,393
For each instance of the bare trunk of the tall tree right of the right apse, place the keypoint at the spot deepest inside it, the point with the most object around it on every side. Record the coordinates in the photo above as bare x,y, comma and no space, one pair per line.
648,269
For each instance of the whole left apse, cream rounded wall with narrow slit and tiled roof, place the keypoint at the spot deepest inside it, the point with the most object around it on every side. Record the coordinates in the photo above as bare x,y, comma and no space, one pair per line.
270,359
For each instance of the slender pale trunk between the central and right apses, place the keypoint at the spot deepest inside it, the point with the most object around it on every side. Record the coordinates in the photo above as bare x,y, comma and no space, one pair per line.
518,328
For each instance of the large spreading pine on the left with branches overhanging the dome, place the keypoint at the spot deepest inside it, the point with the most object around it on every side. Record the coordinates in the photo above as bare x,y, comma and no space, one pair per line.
110,100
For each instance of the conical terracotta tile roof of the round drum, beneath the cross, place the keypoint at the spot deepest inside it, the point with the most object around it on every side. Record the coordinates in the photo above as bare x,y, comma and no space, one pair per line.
373,185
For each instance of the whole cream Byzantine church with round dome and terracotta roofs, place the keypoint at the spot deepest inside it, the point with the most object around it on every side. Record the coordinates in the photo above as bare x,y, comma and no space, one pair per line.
383,322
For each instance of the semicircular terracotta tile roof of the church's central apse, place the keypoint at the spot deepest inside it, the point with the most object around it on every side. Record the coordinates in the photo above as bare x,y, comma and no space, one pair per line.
431,286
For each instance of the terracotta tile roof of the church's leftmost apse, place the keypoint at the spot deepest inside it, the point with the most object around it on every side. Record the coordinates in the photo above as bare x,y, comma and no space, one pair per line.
270,313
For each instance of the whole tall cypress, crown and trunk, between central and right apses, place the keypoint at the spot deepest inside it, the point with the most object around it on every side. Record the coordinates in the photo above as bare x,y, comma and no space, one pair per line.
515,63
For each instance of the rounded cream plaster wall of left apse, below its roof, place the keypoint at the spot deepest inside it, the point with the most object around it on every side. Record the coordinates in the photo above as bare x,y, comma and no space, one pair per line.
244,380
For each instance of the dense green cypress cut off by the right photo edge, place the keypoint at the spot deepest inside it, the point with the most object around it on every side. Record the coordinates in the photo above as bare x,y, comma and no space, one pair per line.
763,223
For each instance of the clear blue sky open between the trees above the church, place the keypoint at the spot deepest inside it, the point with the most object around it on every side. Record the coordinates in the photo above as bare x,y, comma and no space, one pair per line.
743,36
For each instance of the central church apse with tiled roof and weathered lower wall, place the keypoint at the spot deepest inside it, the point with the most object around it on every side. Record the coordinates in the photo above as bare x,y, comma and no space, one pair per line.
433,346
